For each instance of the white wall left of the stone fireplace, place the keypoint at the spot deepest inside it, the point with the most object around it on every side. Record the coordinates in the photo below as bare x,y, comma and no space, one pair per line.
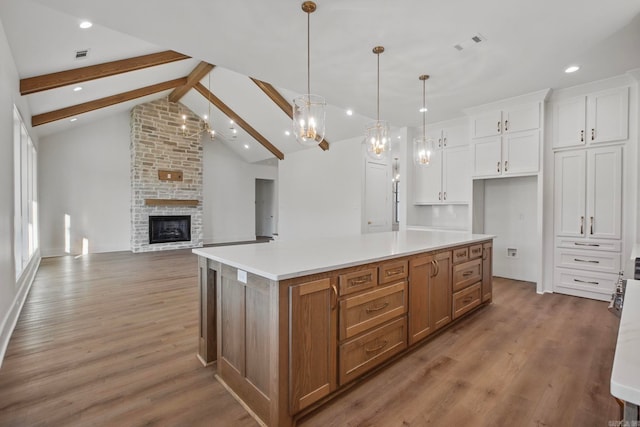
85,173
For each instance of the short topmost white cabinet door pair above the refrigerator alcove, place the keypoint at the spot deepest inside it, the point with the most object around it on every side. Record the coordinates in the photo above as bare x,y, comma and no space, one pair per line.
514,119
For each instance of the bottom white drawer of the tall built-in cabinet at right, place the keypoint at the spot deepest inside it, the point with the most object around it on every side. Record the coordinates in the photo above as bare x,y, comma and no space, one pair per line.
599,285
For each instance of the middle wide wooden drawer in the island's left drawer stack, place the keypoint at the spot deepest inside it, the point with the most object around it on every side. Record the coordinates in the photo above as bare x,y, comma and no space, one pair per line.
364,311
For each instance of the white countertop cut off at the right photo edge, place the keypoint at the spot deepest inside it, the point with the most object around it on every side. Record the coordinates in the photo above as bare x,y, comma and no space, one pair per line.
625,376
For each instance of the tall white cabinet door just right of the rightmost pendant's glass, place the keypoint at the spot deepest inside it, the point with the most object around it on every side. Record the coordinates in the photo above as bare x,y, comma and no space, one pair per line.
456,181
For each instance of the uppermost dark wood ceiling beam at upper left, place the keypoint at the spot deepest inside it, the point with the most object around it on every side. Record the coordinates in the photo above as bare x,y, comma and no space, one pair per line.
92,72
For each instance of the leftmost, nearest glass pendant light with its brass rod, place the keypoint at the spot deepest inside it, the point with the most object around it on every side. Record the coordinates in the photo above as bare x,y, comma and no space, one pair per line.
308,109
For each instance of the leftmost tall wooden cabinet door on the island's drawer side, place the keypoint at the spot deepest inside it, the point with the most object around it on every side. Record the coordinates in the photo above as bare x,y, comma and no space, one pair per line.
313,342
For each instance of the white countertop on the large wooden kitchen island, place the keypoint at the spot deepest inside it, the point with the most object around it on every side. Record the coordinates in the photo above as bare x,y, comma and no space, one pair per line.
285,259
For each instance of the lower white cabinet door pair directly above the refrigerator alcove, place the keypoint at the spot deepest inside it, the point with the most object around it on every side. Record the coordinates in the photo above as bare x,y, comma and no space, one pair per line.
515,153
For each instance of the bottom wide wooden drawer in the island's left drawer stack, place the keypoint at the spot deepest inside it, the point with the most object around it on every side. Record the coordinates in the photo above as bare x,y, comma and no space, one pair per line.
370,350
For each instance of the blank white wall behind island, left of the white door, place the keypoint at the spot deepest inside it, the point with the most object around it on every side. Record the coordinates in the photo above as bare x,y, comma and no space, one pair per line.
320,192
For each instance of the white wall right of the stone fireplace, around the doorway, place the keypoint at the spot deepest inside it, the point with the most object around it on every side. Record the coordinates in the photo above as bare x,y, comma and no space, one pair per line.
229,194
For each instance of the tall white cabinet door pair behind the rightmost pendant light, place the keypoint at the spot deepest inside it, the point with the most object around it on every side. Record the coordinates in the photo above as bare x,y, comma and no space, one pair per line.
446,180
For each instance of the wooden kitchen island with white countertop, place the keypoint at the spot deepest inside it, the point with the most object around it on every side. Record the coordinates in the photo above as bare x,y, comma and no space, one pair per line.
292,323
